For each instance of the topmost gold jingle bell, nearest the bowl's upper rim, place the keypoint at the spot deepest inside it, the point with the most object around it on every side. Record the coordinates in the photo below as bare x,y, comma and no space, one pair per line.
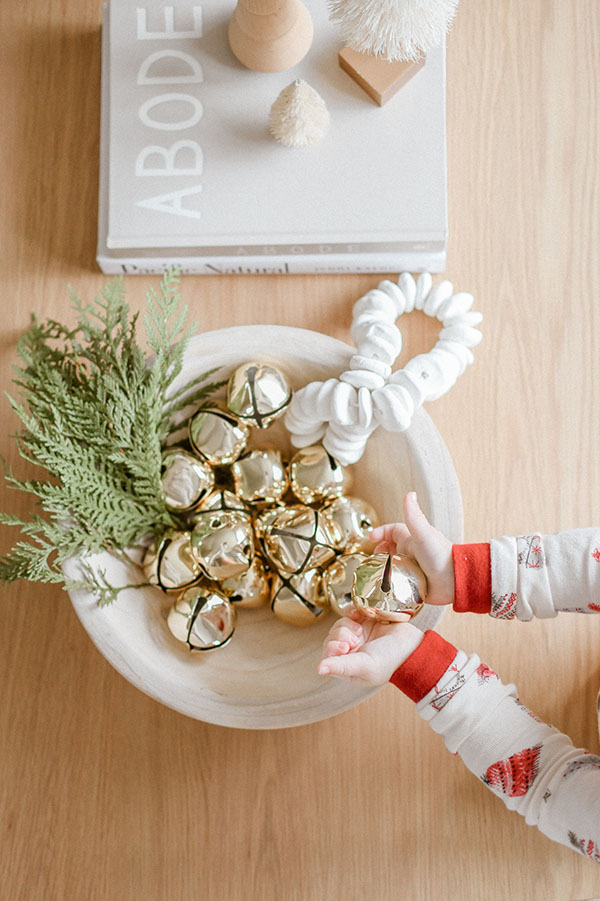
258,393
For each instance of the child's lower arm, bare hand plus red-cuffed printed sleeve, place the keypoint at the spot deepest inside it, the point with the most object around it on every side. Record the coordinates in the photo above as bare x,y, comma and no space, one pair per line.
531,766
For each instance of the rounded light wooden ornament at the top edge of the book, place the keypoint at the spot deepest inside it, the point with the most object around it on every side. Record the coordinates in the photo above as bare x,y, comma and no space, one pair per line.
270,35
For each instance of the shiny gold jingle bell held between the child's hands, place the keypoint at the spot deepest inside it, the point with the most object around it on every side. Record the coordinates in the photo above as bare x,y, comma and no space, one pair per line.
389,588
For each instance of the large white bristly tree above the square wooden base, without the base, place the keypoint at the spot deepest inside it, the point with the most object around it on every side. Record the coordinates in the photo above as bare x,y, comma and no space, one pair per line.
393,29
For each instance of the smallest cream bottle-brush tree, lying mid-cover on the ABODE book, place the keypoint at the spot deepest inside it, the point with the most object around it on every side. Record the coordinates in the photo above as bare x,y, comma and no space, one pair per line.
298,116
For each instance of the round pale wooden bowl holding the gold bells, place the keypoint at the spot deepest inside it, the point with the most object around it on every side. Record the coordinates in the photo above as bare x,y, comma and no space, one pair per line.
266,677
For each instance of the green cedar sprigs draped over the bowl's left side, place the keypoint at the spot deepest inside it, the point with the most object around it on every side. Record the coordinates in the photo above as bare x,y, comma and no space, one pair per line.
95,415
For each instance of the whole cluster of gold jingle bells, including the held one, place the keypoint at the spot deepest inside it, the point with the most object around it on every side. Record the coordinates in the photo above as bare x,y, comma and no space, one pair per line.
260,530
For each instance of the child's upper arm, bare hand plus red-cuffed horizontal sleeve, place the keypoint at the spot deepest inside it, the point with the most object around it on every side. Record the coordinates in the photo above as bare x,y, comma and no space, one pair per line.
508,578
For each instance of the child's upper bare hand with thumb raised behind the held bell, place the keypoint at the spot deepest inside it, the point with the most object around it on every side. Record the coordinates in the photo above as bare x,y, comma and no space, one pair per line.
417,538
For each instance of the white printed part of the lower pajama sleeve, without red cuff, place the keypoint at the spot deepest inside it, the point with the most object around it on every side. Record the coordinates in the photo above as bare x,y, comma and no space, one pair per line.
531,766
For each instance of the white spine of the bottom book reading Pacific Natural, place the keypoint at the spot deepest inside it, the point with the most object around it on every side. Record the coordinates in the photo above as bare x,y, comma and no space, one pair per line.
309,264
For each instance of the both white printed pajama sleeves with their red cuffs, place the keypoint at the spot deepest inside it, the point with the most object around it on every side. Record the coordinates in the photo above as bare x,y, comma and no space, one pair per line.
532,766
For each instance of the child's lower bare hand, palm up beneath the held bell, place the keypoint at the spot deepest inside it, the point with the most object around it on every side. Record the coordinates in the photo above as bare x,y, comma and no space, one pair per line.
361,650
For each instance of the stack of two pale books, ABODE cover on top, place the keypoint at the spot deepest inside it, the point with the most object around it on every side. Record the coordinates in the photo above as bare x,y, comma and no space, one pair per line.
190,175
